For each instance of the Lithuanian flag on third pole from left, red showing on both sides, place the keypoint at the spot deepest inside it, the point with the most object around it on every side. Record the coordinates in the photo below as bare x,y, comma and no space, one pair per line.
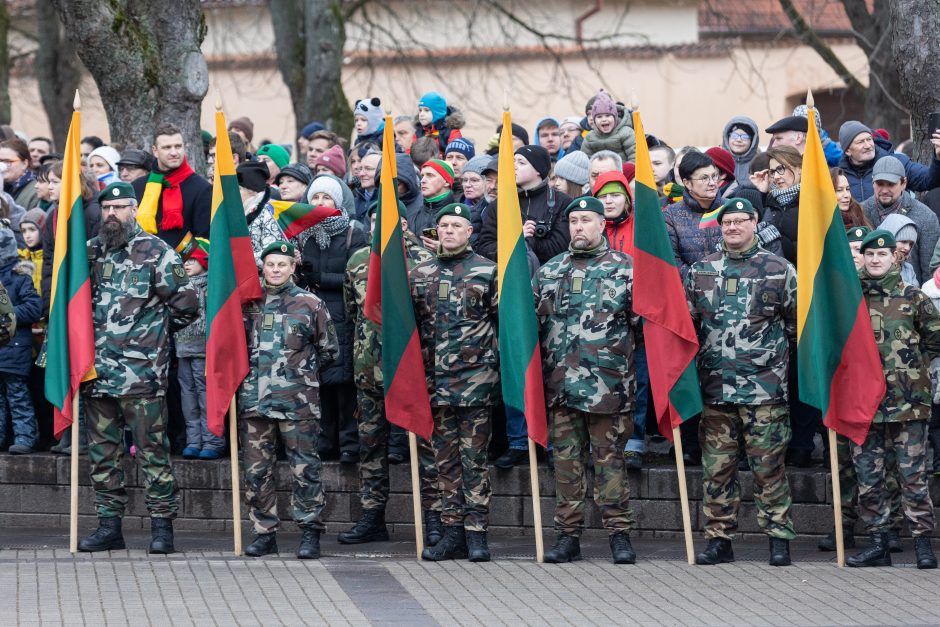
388,303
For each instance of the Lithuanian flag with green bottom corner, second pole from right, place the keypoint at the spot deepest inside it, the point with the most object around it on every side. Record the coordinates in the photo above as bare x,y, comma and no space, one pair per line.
658,296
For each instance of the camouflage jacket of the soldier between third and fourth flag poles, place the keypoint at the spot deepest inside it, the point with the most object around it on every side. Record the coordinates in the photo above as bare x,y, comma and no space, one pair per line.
456,309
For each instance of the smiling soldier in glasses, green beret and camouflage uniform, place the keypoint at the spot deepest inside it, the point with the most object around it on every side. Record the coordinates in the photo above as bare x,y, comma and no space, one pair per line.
743,304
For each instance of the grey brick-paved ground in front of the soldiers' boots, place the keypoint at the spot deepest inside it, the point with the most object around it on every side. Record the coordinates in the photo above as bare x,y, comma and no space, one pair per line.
204,584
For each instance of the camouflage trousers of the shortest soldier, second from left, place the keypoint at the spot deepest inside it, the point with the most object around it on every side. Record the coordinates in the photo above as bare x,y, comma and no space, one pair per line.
259,451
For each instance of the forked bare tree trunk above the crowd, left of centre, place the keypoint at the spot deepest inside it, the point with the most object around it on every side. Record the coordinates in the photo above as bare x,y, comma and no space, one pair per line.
309,40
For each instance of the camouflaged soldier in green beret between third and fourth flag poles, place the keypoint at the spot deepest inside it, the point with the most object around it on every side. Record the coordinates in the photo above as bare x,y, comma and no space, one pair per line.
455,308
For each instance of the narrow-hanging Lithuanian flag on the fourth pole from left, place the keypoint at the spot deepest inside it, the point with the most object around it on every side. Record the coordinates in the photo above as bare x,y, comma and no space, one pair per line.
520,362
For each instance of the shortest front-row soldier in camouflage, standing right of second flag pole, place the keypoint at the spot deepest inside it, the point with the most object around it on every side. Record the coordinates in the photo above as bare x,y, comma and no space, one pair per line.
290,339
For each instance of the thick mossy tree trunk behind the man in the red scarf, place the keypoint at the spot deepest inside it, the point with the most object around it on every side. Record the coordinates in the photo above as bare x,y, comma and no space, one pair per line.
146,61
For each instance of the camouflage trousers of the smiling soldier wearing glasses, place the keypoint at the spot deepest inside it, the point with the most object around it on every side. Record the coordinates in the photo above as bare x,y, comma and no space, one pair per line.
766,433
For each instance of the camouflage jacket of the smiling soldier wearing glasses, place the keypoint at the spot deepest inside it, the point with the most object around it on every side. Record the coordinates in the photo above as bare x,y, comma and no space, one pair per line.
744,308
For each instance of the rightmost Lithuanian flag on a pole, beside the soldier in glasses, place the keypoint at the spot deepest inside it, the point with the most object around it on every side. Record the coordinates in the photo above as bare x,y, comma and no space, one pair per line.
839,366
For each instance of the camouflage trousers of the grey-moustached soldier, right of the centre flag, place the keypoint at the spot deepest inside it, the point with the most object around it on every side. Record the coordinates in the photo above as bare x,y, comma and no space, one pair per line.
575,434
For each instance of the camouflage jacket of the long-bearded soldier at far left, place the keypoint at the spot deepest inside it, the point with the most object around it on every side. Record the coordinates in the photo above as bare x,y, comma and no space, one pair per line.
140,295
